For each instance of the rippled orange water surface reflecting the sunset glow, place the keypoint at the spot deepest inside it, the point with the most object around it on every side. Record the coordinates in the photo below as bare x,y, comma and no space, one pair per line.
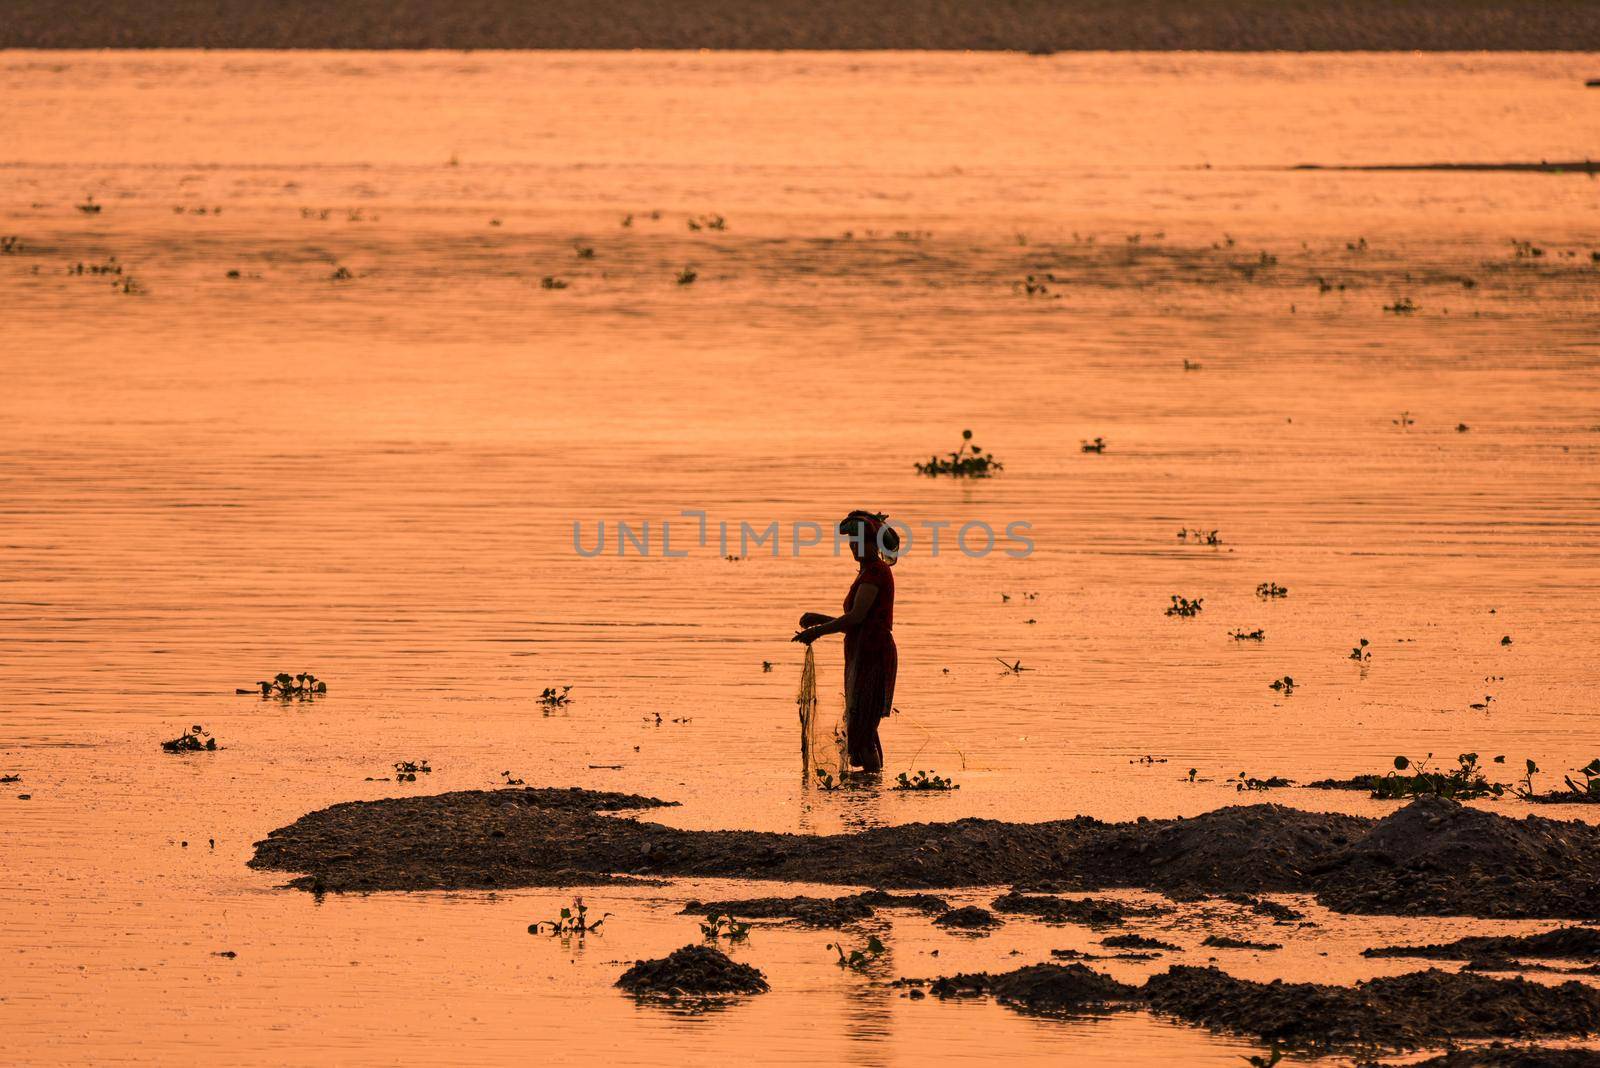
217,479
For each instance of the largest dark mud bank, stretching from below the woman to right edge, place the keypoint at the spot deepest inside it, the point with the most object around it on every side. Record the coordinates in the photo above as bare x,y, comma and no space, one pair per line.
1428,859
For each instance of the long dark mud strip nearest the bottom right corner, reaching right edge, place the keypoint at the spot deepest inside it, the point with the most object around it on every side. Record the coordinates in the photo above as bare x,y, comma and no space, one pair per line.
1402,1011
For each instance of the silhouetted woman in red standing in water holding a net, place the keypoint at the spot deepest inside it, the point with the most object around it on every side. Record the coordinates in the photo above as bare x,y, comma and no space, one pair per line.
868,626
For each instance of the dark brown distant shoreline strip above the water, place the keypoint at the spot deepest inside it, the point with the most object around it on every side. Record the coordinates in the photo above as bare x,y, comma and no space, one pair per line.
1031,26
